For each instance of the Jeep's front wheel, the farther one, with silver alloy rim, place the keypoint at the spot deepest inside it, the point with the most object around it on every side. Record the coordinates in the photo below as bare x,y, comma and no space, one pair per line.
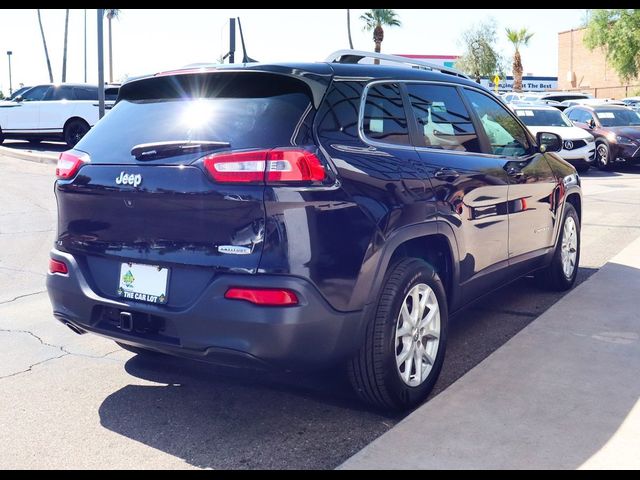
558,276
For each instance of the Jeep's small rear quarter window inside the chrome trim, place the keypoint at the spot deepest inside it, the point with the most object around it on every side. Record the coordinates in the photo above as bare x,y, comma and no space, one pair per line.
384,115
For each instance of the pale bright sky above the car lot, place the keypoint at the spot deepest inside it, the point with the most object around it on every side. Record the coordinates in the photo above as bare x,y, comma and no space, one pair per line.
152,40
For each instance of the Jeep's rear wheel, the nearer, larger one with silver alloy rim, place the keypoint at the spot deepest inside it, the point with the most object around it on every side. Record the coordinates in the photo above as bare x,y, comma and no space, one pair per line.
405,342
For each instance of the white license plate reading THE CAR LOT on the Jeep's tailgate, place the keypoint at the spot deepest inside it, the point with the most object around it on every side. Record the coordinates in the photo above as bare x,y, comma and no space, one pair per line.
144,283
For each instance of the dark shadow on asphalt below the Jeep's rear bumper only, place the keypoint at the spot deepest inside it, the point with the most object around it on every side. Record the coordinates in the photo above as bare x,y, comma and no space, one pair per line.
226,418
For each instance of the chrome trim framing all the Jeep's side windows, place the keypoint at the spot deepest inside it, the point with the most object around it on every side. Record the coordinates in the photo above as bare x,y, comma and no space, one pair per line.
412,122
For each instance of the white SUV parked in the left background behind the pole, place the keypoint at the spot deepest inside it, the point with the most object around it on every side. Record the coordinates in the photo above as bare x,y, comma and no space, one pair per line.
53,112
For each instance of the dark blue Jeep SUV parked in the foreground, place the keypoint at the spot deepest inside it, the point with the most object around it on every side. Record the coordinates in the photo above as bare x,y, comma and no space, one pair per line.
297,215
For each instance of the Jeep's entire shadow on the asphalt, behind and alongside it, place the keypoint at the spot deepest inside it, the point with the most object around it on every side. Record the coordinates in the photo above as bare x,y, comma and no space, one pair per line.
227,418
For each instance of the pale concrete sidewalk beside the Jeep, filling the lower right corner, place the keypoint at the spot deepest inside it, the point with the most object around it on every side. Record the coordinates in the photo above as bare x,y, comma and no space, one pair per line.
562,394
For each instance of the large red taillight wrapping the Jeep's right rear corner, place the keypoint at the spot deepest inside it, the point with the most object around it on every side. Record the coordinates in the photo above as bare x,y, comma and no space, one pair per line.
271,166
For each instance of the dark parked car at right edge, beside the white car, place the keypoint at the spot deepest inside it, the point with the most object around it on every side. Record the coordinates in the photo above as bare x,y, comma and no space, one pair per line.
616,130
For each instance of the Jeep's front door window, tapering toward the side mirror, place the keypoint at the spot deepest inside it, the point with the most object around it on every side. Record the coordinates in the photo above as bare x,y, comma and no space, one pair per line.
506,136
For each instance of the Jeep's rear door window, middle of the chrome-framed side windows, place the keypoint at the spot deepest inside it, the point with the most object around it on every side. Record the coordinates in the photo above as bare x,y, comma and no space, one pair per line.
442,118
